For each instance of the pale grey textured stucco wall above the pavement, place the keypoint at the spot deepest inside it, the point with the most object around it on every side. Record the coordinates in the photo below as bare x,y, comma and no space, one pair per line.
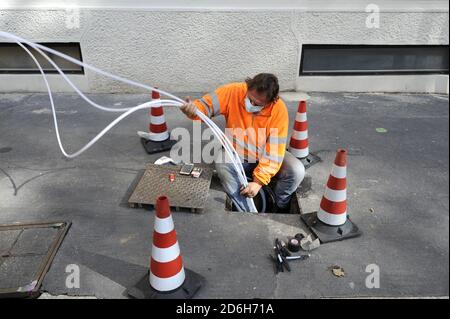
196,51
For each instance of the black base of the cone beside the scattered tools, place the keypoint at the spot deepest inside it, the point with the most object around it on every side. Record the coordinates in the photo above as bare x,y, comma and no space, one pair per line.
327,233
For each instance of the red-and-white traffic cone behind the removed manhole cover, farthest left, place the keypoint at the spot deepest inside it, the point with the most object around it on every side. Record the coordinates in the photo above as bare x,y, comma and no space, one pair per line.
158,138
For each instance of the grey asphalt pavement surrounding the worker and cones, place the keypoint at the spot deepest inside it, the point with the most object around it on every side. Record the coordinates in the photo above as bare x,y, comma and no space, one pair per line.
398,189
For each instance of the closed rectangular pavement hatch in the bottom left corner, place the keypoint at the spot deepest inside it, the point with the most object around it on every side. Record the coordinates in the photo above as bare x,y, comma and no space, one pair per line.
26,253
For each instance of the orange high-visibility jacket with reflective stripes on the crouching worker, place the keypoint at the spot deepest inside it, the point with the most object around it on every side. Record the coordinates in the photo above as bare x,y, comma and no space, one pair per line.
256,136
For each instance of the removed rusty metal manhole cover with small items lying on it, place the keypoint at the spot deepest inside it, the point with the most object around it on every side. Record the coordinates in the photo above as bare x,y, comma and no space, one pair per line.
183,192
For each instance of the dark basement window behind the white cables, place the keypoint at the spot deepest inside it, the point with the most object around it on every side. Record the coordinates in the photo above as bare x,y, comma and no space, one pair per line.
14,60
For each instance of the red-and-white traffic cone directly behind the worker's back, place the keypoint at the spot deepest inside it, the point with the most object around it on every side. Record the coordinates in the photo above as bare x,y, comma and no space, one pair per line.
299,143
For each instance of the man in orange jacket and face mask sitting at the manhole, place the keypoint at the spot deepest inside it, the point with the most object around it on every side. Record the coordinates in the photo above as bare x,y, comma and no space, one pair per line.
253,107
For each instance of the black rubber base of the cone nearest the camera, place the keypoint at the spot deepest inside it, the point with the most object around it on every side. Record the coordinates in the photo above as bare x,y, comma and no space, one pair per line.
143,290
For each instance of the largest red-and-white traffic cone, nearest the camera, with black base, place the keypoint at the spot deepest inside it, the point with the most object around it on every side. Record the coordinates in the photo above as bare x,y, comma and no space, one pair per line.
167,278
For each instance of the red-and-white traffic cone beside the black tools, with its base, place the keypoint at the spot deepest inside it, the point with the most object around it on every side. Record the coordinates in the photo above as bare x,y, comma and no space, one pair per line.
331,222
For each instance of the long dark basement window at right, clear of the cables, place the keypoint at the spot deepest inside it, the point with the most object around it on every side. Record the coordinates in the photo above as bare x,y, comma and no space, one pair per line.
373,59
